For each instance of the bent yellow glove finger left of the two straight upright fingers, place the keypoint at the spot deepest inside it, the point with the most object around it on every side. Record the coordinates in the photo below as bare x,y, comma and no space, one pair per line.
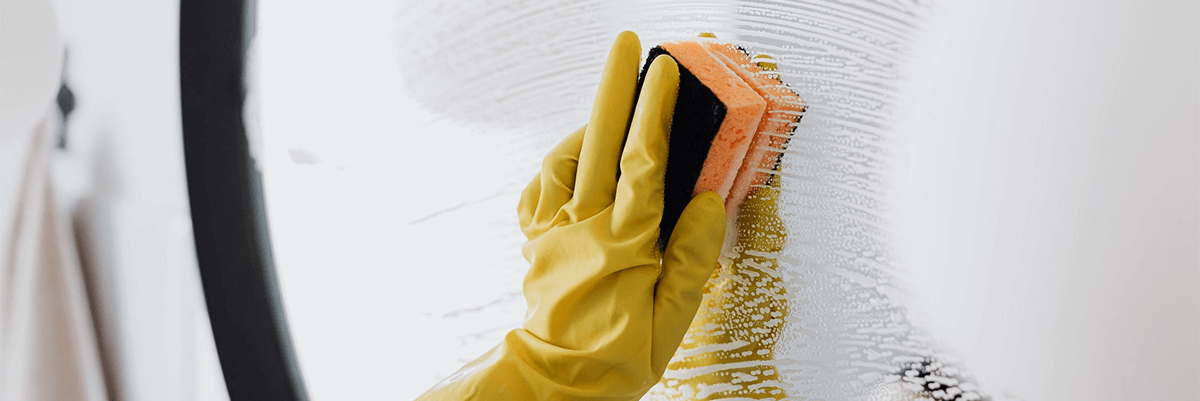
556,184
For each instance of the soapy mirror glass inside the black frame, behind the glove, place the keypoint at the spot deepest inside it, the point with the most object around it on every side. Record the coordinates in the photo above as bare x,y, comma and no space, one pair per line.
395,139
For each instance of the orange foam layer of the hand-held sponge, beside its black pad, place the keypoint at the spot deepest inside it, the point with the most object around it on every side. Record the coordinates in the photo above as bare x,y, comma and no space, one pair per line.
745,110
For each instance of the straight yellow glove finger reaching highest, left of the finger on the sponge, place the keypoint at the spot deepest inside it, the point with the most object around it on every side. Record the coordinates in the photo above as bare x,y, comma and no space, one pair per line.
597,178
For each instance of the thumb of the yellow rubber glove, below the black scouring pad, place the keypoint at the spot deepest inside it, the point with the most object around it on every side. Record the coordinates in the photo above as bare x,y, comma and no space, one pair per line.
688,262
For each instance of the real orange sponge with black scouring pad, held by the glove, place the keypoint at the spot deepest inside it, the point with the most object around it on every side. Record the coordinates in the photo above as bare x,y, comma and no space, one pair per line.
716,118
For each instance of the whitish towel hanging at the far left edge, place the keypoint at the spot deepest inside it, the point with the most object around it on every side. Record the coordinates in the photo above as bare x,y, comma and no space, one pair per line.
49,348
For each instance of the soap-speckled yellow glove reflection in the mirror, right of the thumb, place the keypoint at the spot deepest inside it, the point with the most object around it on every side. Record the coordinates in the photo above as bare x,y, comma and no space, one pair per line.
729,350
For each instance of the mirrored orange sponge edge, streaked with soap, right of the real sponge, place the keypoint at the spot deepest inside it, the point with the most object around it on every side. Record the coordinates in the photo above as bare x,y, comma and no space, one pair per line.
784,111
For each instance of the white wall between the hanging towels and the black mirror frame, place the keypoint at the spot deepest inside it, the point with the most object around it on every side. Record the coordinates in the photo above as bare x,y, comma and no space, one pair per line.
123,177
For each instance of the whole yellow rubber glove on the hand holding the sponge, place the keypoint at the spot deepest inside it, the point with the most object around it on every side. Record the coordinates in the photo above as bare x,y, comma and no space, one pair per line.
607,310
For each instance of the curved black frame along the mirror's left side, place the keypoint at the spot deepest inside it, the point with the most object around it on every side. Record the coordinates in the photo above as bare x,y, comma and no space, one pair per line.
233,246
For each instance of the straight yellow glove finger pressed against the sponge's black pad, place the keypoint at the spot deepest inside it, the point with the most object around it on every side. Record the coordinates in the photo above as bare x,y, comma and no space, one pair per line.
639,205
